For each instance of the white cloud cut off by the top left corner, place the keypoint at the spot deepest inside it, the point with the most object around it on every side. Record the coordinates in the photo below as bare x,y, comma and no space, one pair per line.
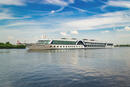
11,2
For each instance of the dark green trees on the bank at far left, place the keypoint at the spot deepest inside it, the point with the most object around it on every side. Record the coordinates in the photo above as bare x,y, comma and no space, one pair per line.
8,45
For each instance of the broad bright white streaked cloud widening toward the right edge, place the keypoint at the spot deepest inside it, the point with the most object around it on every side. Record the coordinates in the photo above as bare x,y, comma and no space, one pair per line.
107,20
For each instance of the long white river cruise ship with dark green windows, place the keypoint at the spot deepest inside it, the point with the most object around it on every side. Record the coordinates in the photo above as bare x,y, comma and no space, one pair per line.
65,43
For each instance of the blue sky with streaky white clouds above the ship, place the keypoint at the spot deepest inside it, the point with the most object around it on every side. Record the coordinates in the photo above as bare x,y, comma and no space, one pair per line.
28,20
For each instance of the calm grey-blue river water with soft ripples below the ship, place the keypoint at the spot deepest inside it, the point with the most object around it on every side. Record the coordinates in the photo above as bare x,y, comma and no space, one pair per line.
65,68
